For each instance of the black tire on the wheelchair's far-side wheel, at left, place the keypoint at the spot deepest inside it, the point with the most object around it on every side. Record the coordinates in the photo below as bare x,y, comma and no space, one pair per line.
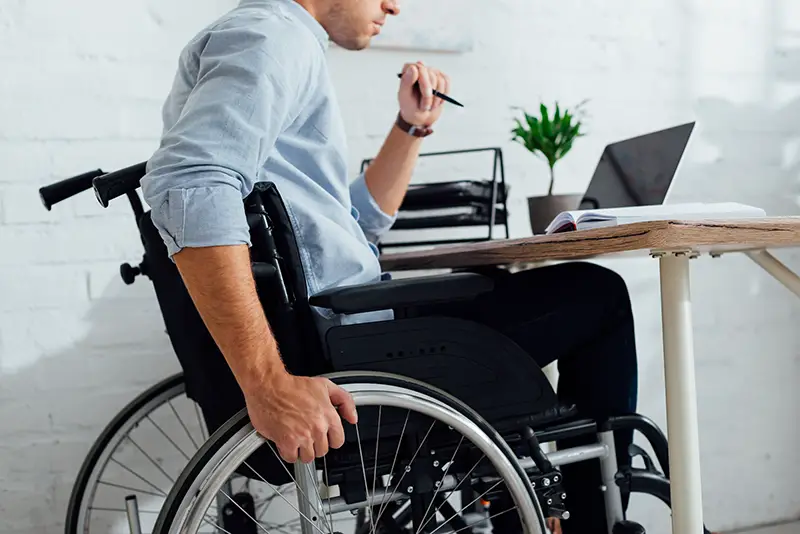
82,480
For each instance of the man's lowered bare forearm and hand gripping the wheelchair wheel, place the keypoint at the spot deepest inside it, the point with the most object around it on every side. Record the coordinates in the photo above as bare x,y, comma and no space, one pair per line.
298,414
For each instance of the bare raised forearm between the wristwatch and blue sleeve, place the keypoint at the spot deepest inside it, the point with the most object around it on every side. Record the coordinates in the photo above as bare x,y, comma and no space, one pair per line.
389,174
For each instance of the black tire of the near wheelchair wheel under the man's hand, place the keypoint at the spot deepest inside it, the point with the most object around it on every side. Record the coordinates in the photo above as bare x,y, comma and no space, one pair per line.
176,496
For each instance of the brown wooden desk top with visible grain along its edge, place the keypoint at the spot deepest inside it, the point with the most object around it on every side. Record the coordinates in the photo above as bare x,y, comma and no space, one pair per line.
638,238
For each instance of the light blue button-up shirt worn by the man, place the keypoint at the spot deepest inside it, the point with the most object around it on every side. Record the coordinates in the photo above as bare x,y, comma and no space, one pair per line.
252,101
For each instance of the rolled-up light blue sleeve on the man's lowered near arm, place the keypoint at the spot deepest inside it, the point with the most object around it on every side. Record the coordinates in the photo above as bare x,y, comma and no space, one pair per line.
210,158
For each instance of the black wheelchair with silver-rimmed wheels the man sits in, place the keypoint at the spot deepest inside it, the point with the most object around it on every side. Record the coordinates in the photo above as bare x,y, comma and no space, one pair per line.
448,439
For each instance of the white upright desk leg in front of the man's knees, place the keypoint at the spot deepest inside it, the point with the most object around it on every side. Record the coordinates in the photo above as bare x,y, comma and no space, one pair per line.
682,424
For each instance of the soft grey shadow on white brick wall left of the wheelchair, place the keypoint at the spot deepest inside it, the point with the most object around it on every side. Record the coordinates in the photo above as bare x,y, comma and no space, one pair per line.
53,410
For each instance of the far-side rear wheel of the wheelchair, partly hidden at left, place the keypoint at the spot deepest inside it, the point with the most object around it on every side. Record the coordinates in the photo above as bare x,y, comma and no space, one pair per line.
139,453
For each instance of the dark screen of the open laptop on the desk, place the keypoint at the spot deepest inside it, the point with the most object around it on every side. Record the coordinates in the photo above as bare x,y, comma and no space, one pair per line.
637,171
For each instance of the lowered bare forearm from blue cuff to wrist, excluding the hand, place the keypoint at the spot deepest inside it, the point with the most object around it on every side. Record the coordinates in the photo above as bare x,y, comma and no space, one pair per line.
220,282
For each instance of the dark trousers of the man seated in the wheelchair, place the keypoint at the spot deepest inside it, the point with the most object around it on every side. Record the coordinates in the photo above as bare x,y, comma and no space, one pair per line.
578,314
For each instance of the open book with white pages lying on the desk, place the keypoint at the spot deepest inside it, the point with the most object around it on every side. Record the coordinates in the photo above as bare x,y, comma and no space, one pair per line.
568,221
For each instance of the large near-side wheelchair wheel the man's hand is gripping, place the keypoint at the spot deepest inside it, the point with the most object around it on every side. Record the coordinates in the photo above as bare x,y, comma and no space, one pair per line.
413,455
